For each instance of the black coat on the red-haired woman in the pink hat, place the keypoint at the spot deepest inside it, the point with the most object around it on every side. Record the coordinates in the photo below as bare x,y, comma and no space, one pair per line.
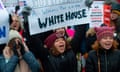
109,61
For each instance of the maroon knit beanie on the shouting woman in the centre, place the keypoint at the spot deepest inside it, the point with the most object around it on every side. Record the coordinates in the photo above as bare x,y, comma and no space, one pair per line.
49,41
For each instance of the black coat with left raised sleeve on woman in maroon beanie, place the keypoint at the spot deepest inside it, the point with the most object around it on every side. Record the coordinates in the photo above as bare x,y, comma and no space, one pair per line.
65,62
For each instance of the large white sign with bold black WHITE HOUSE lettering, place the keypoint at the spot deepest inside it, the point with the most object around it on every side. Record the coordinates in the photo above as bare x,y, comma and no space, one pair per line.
48,18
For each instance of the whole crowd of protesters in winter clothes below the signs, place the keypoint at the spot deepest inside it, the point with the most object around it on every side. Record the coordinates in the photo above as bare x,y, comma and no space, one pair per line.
61,50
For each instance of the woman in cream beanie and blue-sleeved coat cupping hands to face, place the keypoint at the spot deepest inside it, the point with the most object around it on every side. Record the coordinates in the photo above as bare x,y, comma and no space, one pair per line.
16,56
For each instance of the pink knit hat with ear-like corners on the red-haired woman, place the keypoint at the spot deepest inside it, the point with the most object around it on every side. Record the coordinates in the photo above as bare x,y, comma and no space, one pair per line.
104,31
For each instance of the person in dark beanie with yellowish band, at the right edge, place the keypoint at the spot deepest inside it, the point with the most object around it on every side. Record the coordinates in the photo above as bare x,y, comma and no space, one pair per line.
115,20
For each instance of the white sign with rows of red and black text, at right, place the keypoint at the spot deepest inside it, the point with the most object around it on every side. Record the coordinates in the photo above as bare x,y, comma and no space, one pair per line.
97,14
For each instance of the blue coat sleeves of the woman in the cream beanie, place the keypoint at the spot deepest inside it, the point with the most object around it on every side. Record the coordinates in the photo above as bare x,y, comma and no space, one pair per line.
12,63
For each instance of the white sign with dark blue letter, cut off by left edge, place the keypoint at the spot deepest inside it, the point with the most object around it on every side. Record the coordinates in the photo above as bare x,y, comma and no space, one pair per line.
4,25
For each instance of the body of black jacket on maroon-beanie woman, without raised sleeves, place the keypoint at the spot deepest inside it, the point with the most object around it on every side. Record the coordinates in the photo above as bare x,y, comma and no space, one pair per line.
62,63
